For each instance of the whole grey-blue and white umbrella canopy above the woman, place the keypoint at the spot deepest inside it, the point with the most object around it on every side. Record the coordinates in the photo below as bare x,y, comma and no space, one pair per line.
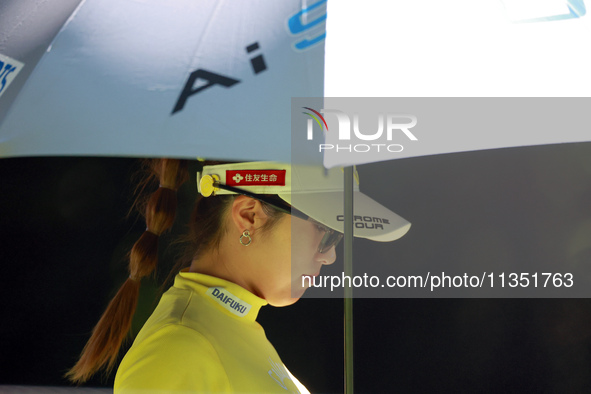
147,79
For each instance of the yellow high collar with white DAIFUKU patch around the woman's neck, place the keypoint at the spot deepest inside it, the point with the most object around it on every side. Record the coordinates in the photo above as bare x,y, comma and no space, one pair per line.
229,297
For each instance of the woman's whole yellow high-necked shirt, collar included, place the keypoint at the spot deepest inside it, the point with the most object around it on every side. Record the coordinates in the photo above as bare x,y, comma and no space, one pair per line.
203,338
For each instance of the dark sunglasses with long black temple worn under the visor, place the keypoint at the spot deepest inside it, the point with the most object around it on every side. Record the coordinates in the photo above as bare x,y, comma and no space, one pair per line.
331,237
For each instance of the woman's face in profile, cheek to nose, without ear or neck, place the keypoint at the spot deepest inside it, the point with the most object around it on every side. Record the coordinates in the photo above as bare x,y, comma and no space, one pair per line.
289,252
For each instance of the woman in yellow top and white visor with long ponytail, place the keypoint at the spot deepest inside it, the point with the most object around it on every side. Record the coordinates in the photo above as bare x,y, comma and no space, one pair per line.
203,336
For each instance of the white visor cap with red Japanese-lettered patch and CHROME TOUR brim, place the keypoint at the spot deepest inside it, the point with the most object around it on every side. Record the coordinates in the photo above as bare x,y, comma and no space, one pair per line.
313,190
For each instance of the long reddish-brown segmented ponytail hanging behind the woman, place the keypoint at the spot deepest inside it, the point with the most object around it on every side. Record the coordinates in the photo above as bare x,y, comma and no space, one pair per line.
103,346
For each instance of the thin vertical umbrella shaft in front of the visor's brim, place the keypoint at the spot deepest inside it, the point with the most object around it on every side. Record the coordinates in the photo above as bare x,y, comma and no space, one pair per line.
349,273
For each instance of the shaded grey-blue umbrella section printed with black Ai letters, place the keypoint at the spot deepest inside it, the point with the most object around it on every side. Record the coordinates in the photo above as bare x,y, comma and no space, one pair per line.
150,78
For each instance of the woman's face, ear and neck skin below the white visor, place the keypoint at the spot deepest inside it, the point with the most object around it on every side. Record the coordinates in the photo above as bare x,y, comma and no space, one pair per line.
277,259
